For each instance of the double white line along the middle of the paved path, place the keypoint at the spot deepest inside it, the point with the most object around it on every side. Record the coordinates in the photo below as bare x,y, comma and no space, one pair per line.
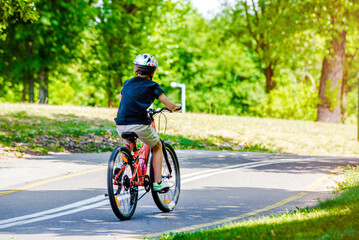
102,200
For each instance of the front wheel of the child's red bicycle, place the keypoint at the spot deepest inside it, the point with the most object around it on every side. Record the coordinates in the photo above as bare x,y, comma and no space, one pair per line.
167,201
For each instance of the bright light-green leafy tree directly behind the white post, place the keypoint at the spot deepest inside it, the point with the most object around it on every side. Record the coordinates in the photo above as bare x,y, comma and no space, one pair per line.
219,73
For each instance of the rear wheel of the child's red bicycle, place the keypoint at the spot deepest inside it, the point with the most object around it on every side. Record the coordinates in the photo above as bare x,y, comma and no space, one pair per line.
123,197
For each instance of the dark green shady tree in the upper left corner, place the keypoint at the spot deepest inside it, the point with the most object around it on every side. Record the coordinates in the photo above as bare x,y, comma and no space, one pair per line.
37,48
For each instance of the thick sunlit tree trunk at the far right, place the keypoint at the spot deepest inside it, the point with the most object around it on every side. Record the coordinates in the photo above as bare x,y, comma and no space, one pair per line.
329,108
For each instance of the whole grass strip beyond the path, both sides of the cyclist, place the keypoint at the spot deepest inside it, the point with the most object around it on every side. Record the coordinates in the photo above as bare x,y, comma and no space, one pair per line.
44,128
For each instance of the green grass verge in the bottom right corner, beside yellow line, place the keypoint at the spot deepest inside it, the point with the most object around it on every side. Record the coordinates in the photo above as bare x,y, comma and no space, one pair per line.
336,218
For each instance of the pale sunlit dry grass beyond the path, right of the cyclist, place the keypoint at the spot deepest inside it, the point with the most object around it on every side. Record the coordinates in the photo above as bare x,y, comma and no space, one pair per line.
285,136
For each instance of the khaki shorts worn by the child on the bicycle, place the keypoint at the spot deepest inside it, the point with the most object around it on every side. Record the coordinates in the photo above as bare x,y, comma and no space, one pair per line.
145,133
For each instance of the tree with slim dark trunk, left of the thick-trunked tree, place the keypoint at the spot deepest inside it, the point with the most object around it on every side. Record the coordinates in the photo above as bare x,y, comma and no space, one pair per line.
265,27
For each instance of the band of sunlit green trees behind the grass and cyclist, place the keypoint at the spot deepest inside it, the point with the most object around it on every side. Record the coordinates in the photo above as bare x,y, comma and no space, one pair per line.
267,58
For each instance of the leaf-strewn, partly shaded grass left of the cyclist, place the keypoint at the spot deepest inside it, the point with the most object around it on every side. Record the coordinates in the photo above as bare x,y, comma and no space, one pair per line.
40,130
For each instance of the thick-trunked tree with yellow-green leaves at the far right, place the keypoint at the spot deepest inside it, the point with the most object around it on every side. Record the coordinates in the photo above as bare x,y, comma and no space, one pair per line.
333,19
